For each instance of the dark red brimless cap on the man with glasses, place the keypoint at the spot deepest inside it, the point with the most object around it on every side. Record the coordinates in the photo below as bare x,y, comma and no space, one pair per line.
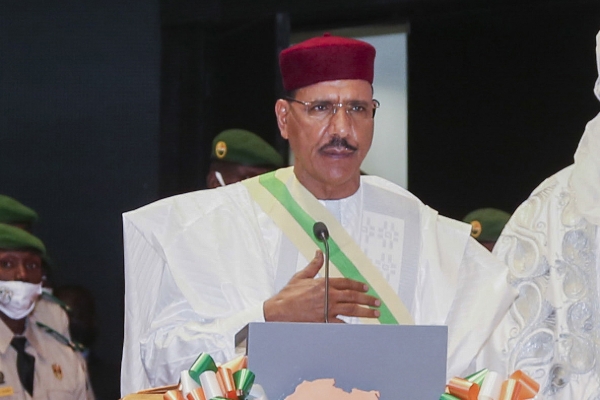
326,58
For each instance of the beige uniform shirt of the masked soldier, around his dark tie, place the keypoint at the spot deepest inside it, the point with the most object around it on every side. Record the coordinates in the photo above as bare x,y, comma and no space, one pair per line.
59,373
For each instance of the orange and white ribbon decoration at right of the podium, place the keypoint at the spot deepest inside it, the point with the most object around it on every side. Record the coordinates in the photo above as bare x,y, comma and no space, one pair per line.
487,385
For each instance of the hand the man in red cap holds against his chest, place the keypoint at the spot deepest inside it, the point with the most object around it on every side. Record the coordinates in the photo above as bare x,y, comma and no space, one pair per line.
303,298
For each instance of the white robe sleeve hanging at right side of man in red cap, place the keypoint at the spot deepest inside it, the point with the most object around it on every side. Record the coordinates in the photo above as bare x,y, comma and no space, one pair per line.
461,285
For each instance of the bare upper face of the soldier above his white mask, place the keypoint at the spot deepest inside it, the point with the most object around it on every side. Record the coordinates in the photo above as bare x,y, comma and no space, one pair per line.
17,265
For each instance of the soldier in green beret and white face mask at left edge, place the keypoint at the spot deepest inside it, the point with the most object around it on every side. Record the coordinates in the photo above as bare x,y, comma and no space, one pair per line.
35,362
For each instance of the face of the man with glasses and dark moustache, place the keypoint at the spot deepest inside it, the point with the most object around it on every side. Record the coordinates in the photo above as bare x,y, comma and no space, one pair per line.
328,152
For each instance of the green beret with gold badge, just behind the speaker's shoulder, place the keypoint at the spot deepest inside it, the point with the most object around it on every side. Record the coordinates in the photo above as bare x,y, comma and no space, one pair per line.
244,147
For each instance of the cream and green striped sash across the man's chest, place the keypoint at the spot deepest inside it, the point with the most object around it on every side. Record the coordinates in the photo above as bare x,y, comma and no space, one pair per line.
295,210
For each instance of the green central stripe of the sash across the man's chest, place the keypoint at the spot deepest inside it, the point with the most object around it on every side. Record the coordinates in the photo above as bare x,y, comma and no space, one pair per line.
280,191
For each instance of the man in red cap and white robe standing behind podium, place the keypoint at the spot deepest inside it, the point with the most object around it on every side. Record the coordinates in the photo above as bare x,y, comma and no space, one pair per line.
201,265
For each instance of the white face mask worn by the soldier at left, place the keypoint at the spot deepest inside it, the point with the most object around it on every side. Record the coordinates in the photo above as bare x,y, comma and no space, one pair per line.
17,298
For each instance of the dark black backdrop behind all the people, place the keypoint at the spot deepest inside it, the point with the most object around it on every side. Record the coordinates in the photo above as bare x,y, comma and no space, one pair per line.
107,106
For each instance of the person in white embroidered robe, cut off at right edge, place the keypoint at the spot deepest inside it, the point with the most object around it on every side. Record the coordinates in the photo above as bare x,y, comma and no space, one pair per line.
551,247
